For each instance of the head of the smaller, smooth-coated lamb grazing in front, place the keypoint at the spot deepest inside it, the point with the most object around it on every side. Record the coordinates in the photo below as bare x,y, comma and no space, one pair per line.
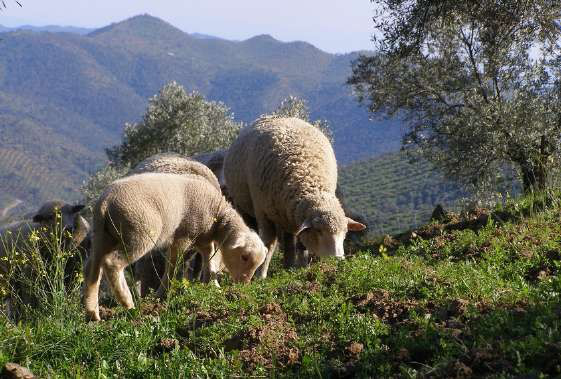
242,254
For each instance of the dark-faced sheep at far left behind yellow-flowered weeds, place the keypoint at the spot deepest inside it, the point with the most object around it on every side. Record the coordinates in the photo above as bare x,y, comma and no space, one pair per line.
53,217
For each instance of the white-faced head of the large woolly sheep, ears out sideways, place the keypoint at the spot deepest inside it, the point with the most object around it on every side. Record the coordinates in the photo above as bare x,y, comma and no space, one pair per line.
324,231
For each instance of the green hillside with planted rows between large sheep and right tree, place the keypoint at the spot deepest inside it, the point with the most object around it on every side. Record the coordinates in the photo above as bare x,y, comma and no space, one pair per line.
395,195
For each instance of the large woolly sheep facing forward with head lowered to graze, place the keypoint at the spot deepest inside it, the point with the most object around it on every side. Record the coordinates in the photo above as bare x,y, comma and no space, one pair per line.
283,172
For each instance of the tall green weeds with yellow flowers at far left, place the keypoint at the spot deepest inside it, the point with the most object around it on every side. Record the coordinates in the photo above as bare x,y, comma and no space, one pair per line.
40,272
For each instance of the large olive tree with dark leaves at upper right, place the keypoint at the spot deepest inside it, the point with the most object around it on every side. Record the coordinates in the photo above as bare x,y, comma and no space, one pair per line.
478,83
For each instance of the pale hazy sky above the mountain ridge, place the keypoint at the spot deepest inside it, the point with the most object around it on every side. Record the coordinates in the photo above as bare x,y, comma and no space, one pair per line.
332,25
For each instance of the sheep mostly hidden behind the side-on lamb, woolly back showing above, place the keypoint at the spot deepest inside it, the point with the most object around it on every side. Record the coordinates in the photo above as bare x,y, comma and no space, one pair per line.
149,269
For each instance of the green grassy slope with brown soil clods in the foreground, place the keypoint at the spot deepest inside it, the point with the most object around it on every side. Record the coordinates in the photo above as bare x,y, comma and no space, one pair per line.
472,297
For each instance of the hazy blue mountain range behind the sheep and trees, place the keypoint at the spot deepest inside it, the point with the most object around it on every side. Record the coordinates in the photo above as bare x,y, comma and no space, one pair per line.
64,97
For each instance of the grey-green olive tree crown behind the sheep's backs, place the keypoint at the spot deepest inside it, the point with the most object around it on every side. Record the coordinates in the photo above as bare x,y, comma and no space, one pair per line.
176,122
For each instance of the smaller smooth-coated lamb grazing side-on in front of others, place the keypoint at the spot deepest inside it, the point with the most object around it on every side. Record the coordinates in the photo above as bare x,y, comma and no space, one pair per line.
157,210
